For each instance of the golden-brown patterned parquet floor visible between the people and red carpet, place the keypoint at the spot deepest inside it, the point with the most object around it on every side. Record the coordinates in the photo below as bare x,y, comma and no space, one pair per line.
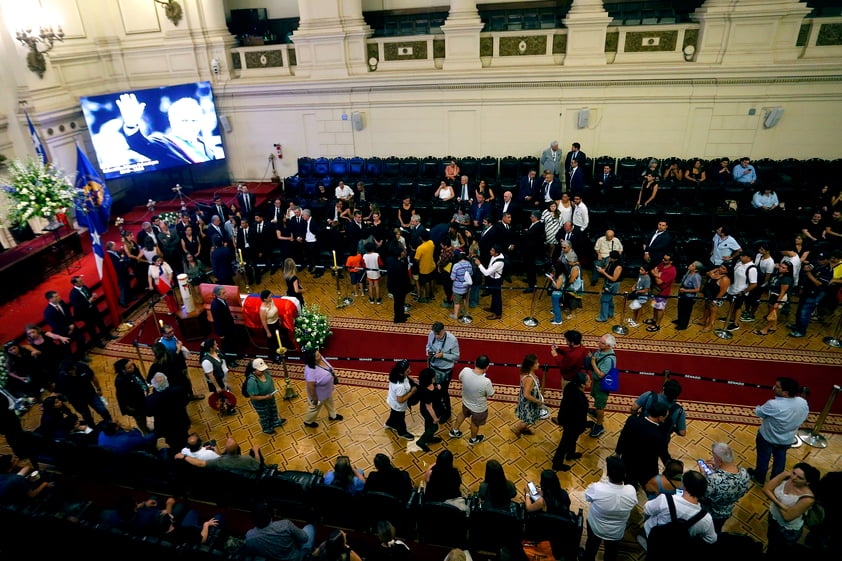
361,434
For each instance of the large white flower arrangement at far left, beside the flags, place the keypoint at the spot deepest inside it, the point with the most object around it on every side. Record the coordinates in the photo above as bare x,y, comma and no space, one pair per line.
36,189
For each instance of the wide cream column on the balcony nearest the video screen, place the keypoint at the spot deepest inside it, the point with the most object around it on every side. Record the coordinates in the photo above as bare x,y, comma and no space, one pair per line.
330,39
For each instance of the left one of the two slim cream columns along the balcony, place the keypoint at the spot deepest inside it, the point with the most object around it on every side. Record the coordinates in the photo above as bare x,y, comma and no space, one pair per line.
461,36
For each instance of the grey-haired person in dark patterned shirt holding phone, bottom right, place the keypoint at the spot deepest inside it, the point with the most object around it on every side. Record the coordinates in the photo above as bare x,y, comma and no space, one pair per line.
727,484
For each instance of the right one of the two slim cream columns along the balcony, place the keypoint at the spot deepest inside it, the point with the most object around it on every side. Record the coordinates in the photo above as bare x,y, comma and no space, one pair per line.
587,24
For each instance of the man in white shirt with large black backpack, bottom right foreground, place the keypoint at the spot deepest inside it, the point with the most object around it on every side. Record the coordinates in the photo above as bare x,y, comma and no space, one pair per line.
677,526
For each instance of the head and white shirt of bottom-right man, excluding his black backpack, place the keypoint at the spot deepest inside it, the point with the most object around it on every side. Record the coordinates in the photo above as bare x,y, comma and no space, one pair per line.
687,506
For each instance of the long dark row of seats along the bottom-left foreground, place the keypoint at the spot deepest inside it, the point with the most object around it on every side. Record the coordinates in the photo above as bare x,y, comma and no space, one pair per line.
302,495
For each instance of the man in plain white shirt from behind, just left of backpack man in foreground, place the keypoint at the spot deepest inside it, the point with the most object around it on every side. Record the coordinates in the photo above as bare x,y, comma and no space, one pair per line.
611,503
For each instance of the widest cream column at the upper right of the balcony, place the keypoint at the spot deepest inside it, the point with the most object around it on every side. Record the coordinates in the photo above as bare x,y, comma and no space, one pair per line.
749,31
